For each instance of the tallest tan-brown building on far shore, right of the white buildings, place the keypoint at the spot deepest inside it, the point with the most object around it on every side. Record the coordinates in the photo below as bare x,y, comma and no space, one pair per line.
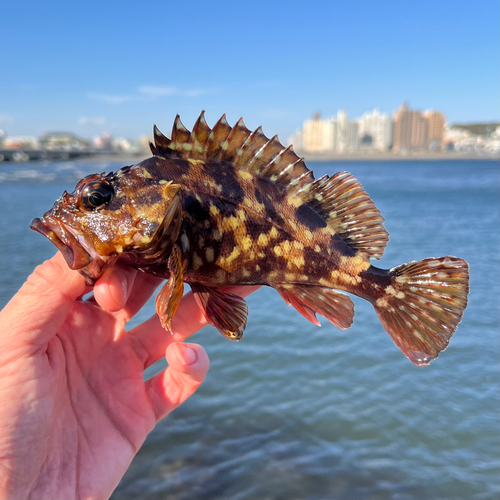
411,130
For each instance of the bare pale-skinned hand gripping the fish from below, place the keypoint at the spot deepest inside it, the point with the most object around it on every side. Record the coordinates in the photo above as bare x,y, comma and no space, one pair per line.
74,406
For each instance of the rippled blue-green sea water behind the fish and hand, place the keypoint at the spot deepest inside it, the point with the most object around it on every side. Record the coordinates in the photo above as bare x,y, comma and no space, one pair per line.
299,412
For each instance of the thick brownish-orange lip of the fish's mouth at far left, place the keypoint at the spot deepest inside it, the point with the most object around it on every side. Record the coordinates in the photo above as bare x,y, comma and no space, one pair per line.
74,254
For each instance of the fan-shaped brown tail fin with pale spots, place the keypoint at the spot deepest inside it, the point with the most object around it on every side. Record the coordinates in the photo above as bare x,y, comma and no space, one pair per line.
423,305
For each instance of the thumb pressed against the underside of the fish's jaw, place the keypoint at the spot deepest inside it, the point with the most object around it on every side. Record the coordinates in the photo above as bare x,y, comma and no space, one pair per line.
42,304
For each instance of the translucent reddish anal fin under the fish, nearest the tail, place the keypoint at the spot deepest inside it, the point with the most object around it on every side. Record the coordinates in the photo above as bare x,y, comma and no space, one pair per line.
335,306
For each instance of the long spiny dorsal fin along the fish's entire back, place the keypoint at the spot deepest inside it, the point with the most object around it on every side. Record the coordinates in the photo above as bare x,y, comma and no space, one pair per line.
340,199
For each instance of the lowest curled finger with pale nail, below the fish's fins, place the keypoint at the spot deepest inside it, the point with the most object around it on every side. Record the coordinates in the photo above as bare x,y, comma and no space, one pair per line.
188,366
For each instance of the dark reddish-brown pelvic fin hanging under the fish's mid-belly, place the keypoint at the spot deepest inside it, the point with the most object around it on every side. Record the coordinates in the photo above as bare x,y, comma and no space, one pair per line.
226,311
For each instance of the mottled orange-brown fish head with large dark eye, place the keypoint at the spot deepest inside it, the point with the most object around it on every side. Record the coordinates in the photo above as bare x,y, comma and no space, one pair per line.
108,216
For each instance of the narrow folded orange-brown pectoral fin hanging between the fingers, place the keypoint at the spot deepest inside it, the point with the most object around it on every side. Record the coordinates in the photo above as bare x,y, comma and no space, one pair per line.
169,297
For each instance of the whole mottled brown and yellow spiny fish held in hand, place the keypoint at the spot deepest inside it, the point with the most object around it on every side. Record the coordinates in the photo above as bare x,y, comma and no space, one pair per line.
223,206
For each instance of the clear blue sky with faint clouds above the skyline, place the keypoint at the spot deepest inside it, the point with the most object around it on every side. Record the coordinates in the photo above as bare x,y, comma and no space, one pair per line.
90,66
